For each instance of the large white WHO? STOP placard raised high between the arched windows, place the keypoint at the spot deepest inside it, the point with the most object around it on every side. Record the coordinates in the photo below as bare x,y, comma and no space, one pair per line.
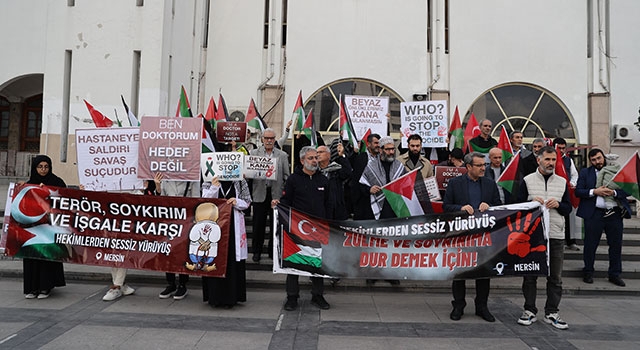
426,118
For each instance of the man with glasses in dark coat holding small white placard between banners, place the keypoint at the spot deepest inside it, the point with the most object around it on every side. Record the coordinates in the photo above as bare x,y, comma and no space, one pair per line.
266,190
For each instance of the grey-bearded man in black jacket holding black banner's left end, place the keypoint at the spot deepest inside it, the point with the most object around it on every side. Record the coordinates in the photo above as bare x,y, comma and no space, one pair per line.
306,190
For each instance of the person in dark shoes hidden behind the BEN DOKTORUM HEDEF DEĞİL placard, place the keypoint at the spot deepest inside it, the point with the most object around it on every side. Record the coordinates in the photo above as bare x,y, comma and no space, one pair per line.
178,189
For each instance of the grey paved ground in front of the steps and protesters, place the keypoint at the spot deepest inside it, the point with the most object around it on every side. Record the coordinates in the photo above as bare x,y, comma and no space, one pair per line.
75,317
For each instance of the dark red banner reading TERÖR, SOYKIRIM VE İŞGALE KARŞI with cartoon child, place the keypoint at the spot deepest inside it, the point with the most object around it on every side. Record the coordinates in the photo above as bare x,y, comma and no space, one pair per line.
171,234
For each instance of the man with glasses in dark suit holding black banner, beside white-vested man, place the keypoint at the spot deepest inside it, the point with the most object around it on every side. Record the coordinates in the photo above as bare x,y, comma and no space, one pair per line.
471,193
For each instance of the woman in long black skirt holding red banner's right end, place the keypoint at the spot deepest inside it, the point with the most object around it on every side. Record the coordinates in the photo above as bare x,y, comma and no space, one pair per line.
232,289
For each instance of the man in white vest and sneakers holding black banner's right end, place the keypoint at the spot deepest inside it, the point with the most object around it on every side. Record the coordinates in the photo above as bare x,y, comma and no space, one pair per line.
551,191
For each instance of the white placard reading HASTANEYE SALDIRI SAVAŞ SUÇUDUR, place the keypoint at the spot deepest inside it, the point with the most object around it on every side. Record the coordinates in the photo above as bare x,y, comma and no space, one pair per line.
108,159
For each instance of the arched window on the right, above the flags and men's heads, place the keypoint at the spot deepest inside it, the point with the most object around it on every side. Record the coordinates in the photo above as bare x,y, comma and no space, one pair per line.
527,108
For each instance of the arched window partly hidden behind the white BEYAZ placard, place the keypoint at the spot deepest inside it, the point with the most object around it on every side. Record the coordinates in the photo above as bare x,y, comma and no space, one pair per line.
325,103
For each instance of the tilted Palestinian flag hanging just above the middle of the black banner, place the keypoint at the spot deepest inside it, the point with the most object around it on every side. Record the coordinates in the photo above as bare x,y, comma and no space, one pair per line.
403,197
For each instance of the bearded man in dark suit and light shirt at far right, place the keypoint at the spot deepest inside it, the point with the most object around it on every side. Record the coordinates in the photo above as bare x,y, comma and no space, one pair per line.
597,218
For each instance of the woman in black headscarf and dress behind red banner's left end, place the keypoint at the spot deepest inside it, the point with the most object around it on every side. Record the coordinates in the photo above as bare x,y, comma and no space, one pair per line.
41,276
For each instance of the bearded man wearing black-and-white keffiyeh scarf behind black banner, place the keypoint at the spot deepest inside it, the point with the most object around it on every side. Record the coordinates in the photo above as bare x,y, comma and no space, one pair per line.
379,172
